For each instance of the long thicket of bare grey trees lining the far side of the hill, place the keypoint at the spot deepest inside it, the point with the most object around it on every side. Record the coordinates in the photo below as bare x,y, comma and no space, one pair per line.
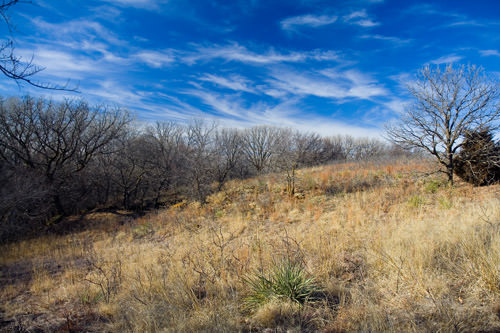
63,158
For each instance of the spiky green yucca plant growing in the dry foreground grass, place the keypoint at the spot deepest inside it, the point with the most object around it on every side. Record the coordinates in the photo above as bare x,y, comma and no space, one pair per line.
288,280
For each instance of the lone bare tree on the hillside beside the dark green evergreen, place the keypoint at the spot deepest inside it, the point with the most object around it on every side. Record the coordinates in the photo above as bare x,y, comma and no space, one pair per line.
448,102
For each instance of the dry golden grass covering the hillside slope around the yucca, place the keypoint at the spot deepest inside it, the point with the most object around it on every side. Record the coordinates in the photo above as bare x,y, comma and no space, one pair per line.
389,245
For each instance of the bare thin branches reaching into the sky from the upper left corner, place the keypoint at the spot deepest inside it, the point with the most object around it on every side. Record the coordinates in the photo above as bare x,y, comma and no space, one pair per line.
15,67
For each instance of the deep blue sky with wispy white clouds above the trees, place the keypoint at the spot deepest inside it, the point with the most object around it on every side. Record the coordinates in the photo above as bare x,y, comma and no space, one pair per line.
333,67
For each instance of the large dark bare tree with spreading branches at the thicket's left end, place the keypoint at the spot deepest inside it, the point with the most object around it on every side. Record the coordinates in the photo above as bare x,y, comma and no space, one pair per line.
47,152
